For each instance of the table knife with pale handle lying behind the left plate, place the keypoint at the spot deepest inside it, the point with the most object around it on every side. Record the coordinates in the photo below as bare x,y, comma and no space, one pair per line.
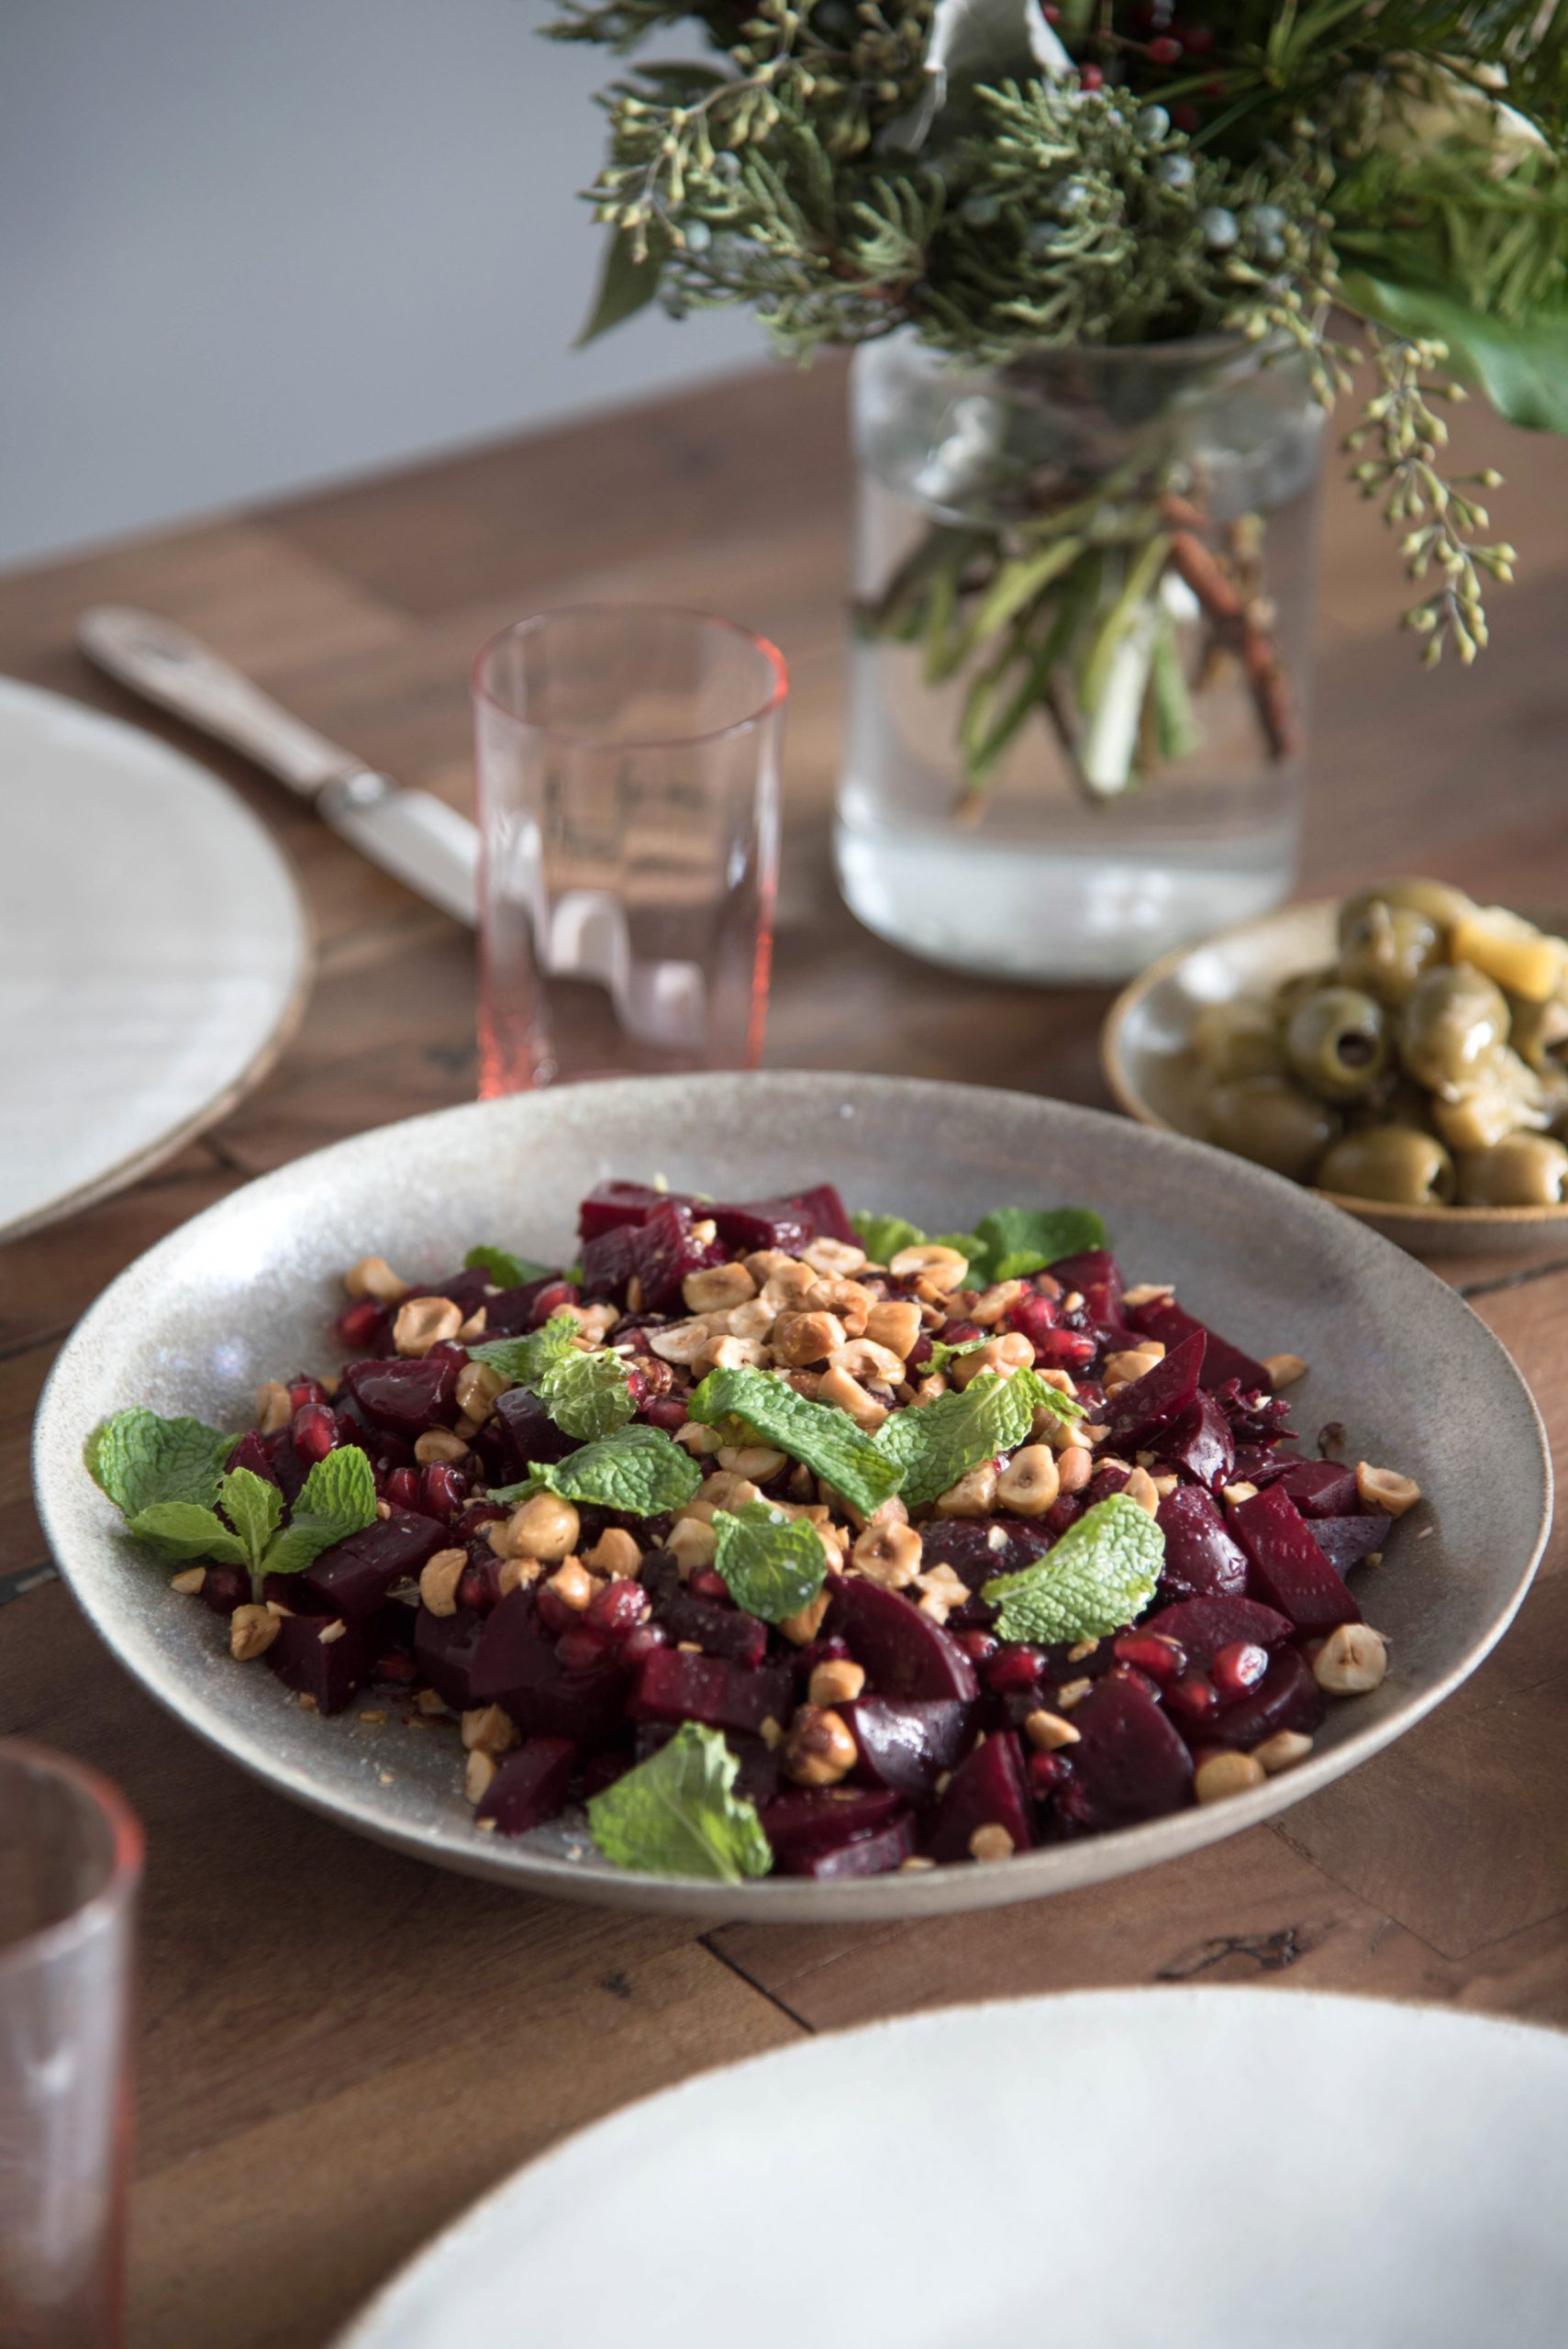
412,835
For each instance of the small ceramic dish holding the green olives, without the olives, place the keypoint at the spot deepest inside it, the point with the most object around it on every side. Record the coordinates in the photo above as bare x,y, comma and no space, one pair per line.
1147,1054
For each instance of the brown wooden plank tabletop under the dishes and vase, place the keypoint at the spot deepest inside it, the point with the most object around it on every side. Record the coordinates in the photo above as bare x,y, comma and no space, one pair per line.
339,2050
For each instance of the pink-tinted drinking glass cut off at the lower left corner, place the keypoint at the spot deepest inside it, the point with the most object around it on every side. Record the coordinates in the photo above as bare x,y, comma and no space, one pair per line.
69,1873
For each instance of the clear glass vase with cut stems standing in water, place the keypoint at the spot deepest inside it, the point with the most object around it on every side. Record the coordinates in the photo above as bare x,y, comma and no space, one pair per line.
1079,671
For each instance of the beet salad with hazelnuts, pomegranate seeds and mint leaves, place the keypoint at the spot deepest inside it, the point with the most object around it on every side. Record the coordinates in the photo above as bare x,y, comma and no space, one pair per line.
776,1540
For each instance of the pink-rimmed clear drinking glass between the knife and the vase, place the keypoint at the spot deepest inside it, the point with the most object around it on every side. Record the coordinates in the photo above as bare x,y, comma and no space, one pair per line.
630,812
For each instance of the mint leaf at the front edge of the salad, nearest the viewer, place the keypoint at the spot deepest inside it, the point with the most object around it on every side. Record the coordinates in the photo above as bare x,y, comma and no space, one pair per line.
677,1815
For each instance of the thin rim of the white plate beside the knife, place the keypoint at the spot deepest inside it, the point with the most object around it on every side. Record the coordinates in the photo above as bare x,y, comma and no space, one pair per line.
224,807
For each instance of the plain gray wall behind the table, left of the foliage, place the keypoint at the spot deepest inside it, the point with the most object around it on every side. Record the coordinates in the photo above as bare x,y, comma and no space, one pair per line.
248,245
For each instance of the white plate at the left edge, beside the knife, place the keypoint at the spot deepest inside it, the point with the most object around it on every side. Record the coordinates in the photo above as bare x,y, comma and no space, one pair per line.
151,953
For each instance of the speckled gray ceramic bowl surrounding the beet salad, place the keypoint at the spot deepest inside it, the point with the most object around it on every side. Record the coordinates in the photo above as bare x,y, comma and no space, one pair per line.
248,1291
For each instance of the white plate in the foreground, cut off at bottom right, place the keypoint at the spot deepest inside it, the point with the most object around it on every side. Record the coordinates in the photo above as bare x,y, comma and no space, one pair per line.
1154,2169
